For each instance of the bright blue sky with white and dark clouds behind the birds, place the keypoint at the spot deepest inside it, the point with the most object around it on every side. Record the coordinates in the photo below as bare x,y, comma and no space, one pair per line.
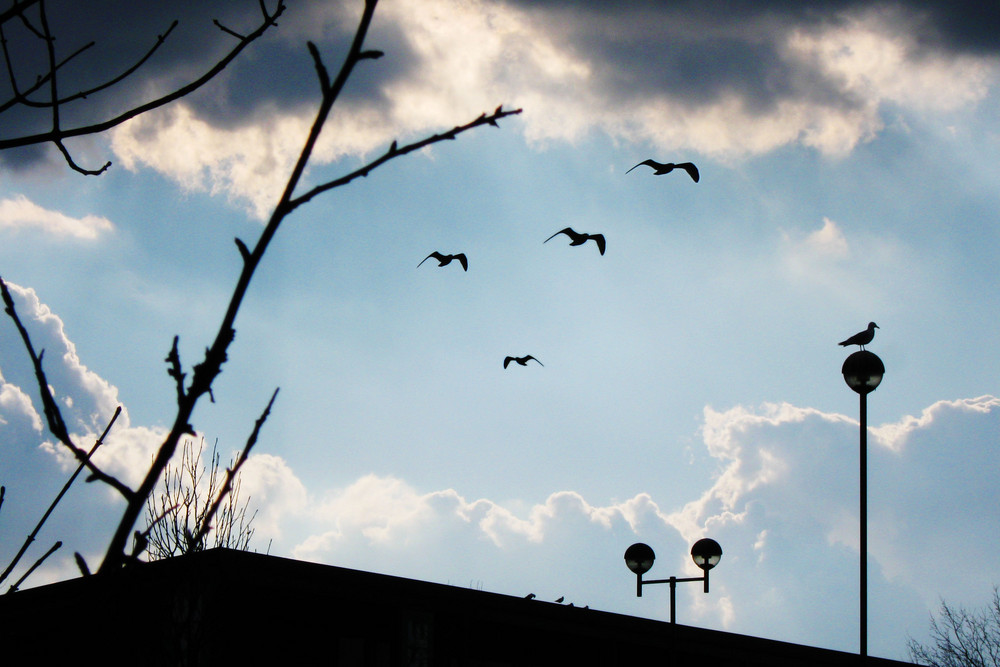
691,383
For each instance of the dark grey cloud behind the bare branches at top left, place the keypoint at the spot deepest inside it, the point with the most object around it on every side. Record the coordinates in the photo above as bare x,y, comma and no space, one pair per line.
274,72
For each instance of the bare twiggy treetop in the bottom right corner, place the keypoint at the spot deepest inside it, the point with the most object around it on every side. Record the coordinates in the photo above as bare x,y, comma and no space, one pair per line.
962,638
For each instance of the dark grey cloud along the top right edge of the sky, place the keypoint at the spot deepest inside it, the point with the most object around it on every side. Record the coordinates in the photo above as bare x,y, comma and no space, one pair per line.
700,50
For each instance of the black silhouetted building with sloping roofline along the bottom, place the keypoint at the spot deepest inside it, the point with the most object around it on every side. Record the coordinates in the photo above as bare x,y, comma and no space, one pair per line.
224,607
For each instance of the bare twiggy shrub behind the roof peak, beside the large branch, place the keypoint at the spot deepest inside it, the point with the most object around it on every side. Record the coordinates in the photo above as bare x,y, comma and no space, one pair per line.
175,519
